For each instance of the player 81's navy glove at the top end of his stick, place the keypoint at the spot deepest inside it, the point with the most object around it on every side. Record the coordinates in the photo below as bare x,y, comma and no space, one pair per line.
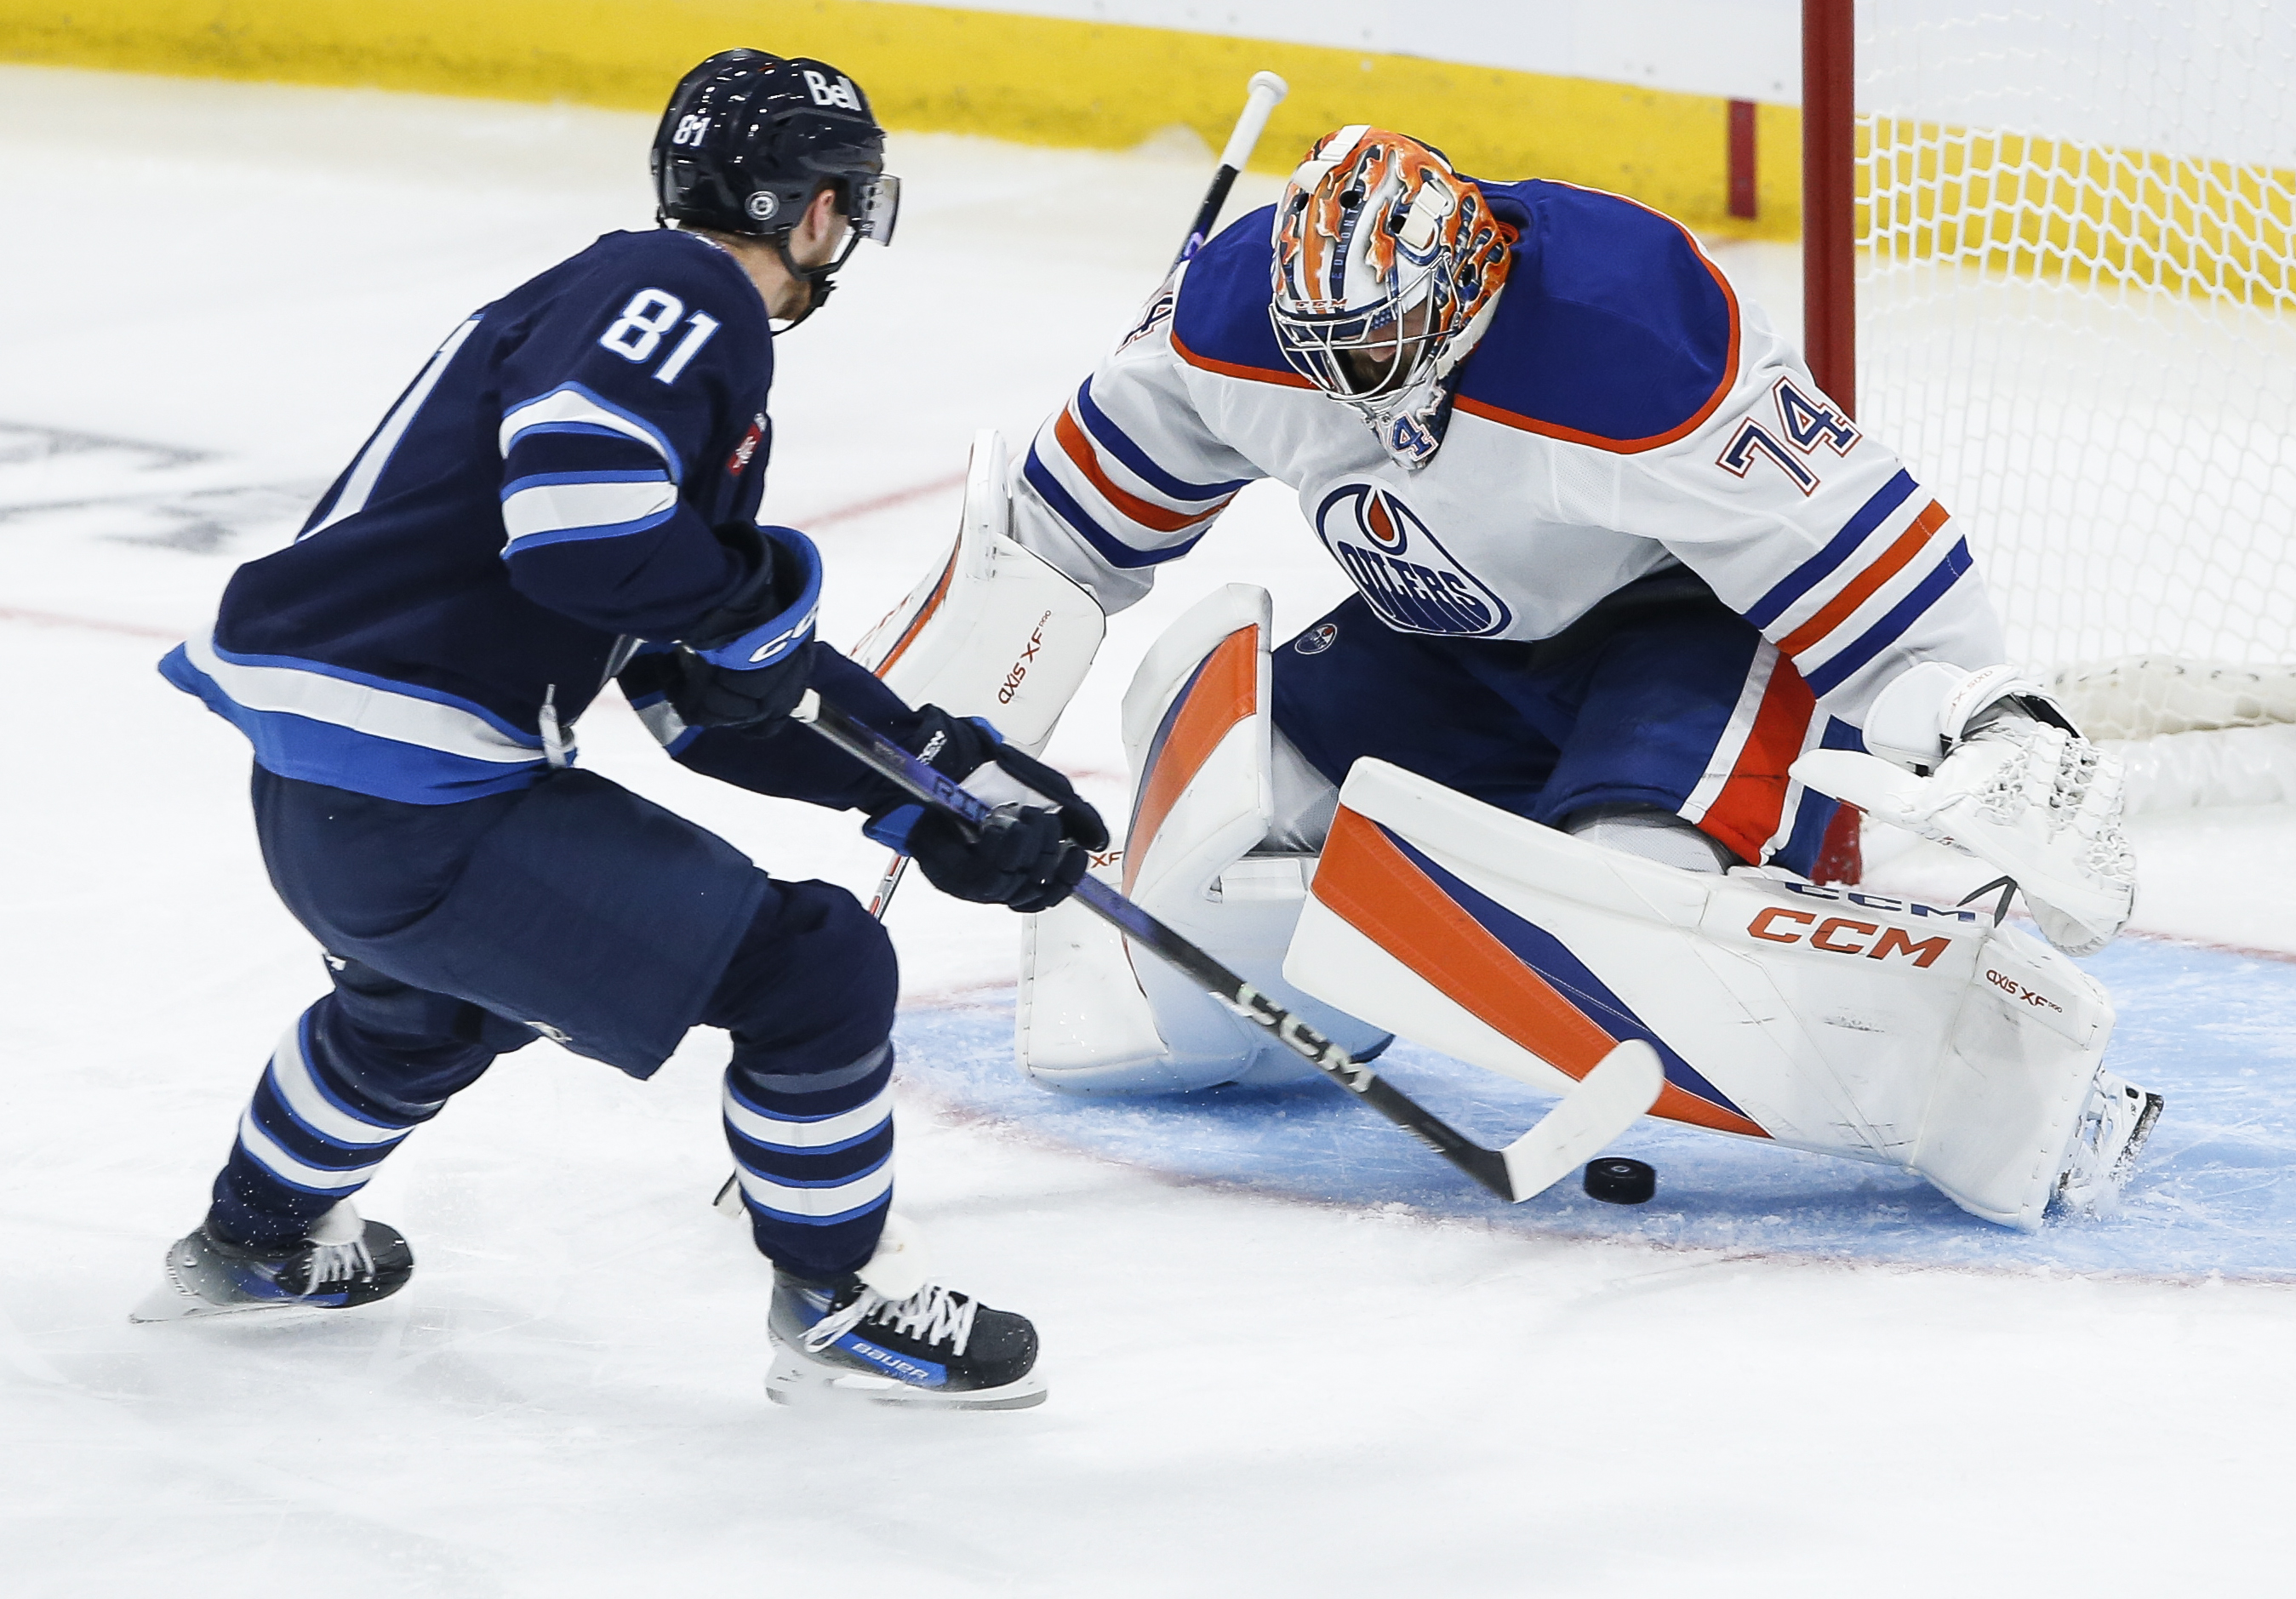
750,661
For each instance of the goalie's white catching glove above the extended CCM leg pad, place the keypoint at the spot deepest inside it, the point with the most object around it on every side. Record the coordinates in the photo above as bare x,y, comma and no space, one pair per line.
1992,766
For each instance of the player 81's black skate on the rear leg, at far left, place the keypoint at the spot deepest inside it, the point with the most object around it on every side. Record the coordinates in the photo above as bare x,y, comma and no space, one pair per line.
341,1262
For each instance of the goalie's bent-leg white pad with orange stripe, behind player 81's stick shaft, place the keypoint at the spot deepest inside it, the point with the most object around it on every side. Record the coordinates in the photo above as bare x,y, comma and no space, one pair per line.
1099,1017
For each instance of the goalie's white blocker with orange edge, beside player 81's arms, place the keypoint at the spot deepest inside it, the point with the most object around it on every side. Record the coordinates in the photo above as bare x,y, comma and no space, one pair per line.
993,631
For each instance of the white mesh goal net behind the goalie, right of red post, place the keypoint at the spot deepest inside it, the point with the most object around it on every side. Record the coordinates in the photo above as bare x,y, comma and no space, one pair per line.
2077,318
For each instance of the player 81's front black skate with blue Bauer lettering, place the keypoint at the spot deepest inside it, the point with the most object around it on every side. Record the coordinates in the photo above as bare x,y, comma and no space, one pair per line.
844,1341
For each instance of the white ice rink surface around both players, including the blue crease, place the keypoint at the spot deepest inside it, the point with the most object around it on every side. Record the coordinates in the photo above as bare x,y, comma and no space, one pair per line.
1340,1382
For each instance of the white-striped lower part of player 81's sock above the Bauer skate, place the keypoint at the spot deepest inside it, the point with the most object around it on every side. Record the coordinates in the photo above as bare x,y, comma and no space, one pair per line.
816,1159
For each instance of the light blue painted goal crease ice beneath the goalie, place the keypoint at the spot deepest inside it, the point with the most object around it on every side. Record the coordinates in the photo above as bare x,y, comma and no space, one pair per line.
2214,1196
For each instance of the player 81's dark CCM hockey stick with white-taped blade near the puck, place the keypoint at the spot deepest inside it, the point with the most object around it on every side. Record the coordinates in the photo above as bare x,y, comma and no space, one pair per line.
1611,1097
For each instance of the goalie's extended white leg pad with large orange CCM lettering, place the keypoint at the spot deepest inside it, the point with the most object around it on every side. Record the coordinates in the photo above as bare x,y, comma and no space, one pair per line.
1822,1019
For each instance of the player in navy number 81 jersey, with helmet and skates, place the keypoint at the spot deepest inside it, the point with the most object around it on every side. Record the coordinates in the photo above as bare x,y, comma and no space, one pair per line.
564,497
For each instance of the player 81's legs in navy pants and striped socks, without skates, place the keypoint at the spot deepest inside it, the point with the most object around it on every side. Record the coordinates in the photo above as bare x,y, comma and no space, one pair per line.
582,913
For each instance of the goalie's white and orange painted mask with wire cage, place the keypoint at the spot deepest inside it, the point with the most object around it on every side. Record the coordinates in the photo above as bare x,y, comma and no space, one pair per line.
1386,265
